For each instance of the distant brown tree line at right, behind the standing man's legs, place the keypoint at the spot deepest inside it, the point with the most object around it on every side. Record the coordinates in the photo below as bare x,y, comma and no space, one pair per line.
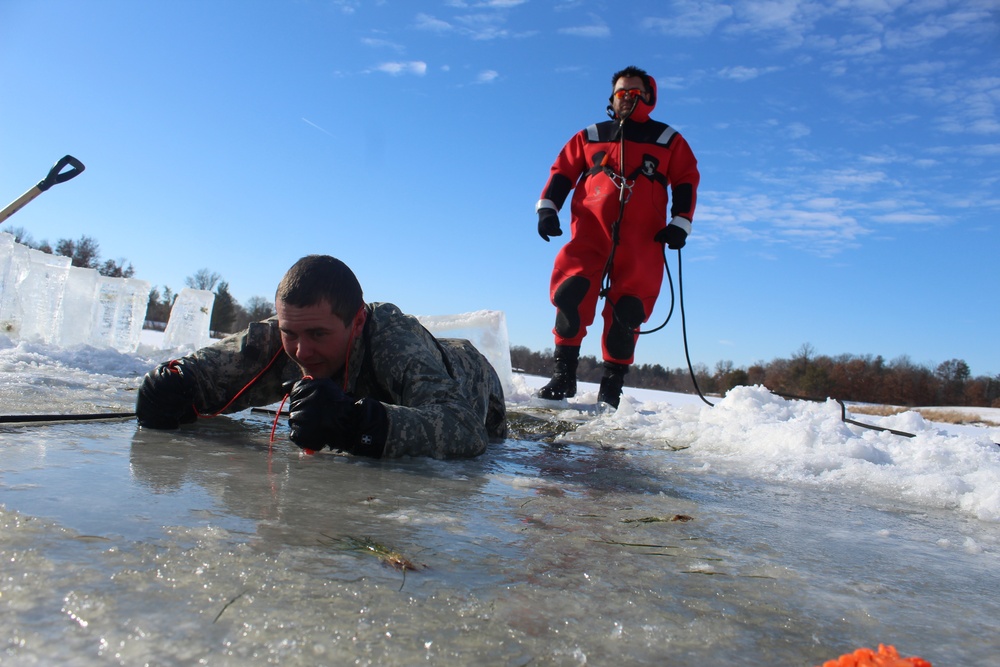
866,379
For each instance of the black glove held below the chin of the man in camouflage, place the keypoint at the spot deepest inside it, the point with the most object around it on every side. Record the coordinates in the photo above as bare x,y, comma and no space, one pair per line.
321,414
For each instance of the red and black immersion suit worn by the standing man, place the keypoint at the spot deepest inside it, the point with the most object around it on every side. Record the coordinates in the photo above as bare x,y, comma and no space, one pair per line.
657,157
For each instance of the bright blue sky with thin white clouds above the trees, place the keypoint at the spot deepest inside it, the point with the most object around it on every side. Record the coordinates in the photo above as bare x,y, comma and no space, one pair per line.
849,151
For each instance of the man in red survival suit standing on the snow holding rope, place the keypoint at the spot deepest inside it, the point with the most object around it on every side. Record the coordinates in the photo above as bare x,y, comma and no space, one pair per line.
621,170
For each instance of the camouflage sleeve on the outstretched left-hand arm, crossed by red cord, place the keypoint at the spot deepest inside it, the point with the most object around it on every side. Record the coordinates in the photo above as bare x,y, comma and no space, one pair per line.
222,370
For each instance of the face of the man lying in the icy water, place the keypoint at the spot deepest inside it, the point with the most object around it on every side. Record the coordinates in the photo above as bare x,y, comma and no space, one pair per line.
315,338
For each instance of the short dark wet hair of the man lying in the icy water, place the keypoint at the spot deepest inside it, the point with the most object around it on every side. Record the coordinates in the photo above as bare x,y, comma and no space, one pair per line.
316,278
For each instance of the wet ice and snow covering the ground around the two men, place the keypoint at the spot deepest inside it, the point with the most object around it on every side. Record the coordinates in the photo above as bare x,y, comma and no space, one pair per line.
809,537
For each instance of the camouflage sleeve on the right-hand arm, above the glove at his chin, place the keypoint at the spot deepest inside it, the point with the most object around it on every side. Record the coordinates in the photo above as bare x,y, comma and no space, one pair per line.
430,412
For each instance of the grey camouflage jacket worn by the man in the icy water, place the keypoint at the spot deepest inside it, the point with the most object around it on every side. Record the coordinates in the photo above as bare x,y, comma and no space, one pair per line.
442,396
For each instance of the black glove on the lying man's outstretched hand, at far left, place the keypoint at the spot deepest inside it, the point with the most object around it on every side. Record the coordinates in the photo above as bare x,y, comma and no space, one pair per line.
166,397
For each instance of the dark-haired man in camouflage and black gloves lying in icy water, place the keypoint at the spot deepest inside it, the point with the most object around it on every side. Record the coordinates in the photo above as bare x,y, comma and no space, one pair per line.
361,378
